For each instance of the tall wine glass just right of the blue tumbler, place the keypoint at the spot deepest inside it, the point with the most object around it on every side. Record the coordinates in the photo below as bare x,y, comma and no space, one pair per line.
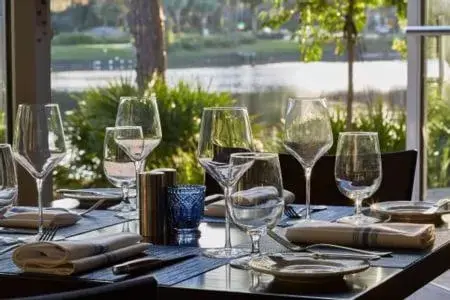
223,131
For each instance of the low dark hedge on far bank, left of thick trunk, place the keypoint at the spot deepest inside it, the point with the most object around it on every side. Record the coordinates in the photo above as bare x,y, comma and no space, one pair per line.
77,38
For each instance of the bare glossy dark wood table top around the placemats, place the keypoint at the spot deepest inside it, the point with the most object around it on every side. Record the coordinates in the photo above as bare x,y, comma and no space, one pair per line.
228,283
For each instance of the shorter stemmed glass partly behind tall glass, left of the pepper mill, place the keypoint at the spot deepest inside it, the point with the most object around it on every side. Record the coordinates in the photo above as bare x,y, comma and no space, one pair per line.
119,169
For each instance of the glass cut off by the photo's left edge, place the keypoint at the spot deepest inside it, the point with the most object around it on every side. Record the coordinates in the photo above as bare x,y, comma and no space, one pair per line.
8,178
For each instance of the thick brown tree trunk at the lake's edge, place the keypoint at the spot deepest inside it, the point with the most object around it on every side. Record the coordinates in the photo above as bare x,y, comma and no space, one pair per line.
146,22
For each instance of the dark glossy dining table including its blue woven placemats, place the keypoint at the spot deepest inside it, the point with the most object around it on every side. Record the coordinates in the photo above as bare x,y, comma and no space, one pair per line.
395,277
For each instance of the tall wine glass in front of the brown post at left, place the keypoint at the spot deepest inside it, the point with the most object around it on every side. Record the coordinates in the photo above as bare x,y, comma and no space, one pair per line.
39,144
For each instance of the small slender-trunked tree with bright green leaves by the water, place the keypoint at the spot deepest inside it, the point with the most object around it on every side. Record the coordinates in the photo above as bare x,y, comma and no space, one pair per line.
328,21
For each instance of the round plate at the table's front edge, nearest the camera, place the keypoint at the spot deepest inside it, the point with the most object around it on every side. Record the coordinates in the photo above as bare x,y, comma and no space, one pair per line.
304,269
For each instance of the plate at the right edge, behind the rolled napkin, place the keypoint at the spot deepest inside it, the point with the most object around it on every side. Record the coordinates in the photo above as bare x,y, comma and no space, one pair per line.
409,211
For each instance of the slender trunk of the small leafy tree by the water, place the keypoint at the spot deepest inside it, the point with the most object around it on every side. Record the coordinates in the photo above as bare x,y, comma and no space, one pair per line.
350,34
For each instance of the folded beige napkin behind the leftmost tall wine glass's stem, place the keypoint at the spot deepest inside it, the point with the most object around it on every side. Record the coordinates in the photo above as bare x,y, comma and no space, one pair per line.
28,217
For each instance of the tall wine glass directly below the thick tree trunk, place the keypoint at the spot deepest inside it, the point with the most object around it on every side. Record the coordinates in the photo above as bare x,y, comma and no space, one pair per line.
142,112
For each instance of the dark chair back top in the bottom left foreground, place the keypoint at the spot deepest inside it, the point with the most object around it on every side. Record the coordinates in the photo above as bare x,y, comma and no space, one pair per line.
132,288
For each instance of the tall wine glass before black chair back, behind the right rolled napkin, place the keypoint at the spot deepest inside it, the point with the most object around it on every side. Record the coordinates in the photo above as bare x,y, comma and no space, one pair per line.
307,136
